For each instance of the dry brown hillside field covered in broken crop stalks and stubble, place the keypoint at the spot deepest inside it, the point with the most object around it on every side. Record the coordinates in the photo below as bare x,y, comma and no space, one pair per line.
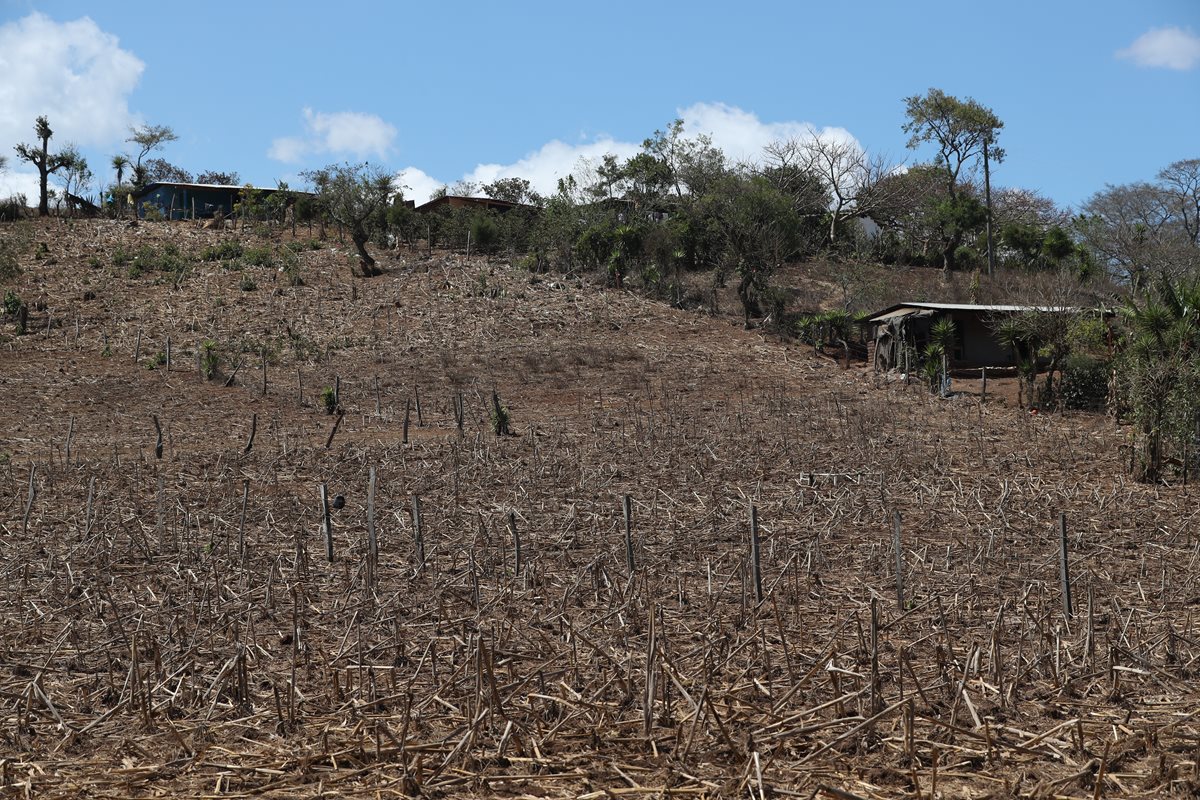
173,624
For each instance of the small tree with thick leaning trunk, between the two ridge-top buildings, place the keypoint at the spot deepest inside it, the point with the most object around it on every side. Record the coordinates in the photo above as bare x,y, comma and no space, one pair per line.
356,196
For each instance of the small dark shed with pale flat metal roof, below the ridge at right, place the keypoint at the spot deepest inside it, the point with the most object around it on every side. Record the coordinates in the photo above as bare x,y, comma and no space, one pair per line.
904,330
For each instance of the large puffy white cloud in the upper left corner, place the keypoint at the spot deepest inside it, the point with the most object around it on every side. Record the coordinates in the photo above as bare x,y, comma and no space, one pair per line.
74,74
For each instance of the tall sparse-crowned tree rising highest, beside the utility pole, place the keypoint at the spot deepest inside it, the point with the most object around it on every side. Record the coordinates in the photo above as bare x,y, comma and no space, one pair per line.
963,133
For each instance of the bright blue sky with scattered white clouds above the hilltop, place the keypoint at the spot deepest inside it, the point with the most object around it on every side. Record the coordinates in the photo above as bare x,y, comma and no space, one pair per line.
1091,92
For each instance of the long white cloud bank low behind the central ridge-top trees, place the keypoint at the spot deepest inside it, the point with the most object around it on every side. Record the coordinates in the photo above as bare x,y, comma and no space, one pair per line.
741,135
